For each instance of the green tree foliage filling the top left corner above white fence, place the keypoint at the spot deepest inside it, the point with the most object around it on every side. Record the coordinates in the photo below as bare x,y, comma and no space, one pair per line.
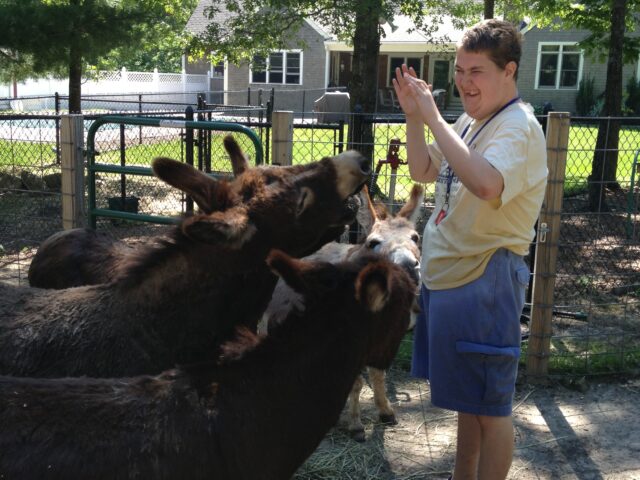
107,32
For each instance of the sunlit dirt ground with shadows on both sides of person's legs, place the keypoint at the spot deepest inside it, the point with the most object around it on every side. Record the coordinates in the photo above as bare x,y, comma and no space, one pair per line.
587,432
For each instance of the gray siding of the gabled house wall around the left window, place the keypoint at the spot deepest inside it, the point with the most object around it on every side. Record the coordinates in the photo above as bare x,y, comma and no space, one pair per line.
287,97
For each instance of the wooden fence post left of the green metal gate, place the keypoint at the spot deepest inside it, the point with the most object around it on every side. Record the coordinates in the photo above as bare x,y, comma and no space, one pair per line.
72,160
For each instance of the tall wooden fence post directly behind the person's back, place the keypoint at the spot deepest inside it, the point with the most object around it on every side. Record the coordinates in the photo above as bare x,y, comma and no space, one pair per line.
544,274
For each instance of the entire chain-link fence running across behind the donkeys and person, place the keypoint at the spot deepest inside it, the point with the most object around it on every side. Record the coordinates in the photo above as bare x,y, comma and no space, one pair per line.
596,314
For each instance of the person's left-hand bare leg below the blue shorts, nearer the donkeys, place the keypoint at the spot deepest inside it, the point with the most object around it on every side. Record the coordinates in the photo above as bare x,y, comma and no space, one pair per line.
468,447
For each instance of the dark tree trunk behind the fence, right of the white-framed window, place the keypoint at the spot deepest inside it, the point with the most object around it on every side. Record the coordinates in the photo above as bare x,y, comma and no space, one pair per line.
605,157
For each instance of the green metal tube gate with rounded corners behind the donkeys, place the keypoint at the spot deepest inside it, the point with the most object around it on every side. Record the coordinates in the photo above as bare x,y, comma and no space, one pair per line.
93,167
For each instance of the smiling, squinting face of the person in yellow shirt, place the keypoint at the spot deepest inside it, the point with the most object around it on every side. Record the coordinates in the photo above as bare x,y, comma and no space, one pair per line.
483,86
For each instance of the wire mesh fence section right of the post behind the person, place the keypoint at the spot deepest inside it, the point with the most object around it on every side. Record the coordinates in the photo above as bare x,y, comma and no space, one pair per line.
596,326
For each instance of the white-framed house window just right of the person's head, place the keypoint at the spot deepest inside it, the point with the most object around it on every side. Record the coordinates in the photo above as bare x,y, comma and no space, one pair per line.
559,66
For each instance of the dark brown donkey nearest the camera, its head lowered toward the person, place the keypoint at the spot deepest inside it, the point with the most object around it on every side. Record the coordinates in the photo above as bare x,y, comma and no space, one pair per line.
246,418
